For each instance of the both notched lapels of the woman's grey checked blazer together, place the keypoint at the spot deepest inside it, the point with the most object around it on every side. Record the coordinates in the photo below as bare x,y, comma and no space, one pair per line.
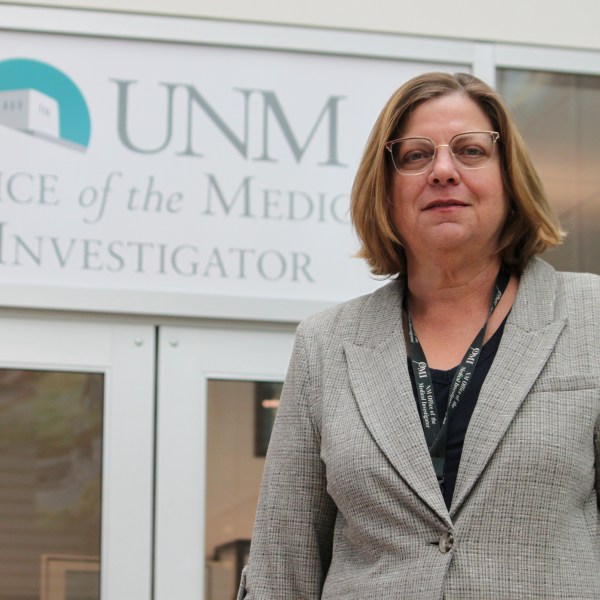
377,363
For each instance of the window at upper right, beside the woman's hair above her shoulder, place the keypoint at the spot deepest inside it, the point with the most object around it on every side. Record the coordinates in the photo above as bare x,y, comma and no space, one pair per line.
558,117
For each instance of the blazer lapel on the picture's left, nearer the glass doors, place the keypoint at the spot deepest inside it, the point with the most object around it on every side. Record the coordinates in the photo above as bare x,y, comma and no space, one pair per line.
377,365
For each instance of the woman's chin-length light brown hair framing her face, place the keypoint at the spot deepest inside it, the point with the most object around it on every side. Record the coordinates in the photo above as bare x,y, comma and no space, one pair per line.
531,226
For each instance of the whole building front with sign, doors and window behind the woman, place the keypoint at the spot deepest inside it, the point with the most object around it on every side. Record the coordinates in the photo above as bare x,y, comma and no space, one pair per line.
155,261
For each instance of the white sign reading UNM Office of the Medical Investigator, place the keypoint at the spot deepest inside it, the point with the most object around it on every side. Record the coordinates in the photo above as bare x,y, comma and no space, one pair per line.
183,170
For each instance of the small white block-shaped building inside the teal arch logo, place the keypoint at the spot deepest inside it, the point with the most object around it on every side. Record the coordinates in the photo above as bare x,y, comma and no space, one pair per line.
30,111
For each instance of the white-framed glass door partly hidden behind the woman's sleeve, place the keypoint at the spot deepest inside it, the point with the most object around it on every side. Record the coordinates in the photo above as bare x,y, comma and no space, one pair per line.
218,391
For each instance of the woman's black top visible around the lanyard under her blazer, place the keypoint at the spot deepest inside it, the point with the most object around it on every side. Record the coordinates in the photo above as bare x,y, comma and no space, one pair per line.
457,426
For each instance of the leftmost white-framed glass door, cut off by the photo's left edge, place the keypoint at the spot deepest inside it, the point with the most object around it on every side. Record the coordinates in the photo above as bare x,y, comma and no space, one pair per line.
76,438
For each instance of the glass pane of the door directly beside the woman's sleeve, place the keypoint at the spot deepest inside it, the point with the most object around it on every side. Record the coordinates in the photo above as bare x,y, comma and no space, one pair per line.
240,415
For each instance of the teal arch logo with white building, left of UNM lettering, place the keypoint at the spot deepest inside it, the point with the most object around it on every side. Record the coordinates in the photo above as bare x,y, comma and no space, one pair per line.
38,99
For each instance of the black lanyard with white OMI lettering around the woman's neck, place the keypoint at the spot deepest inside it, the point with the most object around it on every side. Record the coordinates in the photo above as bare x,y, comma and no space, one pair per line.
435,434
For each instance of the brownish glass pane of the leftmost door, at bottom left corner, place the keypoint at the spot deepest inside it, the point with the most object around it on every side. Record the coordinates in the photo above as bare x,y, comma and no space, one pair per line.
50,480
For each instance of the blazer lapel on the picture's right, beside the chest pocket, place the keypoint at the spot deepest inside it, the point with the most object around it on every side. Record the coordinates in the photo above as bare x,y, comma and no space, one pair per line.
529,337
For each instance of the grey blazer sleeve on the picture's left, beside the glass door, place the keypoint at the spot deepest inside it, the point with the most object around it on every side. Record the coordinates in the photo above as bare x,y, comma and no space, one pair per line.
293,532
